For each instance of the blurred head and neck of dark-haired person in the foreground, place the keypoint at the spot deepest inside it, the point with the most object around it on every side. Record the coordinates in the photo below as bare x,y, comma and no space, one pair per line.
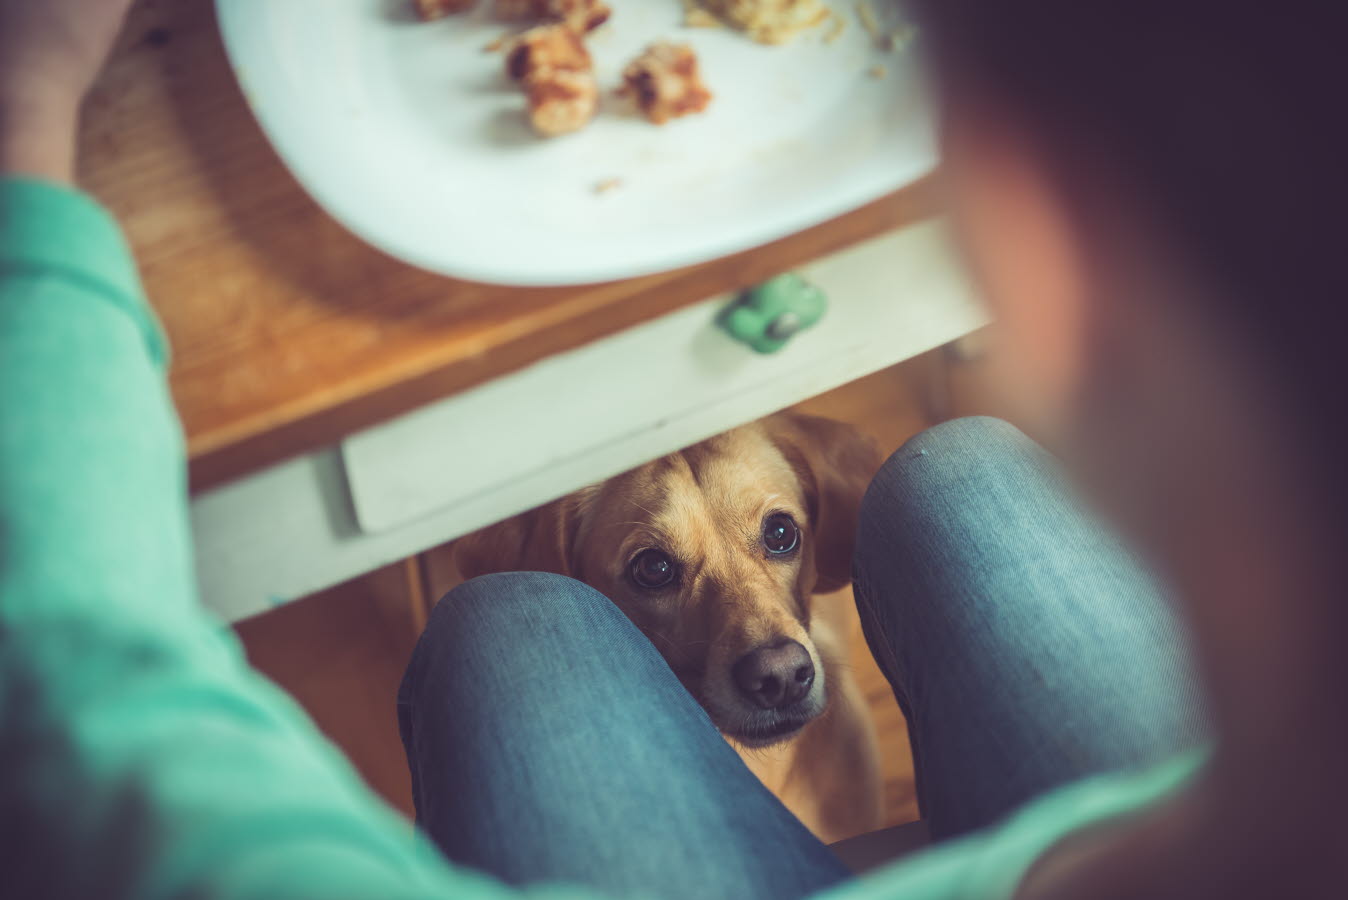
1153,196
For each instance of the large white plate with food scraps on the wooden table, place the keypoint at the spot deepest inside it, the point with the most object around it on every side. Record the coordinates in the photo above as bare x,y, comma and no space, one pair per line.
410,135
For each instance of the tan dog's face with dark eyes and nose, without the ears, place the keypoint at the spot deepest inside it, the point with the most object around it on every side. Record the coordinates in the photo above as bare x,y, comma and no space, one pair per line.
707,553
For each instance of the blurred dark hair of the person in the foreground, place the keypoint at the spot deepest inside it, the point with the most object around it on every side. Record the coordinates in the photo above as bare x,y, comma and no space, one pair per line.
1227,121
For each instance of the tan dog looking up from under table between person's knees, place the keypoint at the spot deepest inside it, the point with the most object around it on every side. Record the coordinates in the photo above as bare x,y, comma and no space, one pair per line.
721,554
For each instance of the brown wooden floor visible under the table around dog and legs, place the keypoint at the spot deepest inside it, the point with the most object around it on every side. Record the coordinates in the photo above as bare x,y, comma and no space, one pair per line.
342,653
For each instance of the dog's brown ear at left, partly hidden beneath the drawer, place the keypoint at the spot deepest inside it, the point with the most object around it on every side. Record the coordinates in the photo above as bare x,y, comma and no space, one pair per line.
537,541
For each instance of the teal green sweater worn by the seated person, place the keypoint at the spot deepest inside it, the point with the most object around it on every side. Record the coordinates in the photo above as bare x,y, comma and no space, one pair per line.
140,754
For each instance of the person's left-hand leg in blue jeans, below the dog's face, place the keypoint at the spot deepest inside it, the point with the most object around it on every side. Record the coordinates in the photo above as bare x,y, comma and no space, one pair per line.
549,742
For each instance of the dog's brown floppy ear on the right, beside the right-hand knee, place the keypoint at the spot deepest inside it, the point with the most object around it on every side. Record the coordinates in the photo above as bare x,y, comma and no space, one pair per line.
835,464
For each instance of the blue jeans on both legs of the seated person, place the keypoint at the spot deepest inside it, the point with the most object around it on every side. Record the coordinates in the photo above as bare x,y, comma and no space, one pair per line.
549,742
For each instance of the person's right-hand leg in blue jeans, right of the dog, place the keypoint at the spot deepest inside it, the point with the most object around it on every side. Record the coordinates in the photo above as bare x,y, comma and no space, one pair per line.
1027,647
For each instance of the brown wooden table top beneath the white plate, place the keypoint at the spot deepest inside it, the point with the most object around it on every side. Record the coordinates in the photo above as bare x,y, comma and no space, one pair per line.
288,331
